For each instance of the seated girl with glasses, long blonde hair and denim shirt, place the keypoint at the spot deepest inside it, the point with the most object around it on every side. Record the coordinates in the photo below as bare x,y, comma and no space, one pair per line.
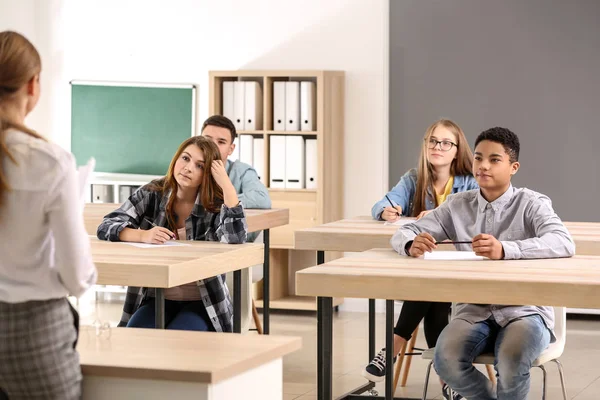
445,167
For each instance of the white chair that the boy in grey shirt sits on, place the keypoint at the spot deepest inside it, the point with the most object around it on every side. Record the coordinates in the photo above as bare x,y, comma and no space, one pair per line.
551,354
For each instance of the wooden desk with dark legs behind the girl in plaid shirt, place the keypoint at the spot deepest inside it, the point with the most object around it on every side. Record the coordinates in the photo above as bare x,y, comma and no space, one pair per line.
258,220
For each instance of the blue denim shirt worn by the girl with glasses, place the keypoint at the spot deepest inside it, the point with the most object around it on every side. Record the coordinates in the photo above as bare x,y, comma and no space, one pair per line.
404,192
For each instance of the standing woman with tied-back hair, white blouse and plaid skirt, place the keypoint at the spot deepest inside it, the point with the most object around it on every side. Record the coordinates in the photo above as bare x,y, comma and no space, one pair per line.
45,250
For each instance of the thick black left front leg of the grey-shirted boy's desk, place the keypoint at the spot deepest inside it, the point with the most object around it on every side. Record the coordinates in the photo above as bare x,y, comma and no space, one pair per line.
324,348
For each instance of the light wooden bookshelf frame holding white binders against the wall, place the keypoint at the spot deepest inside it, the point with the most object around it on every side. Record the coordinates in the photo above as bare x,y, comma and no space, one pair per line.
308,207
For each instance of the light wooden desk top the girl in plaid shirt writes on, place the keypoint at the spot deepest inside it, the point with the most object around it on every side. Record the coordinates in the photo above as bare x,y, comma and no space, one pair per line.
119,263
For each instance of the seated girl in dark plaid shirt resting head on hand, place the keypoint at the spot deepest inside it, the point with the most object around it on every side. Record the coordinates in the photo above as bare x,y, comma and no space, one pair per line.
194,201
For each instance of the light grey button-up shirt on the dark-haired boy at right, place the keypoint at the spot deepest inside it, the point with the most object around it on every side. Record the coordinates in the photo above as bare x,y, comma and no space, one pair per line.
521,219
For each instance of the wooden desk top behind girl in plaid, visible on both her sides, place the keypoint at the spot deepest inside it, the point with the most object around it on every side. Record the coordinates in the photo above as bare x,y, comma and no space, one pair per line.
257,219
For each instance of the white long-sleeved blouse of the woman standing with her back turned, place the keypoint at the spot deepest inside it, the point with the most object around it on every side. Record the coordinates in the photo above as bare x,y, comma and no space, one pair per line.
45,251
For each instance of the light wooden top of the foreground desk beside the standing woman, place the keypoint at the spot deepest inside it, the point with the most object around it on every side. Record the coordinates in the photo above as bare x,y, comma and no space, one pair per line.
200,357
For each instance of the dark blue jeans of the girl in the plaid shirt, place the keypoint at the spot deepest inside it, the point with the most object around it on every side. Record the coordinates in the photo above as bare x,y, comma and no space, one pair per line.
179,315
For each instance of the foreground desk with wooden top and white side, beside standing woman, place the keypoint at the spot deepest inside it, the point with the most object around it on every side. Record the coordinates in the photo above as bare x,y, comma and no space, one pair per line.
157,364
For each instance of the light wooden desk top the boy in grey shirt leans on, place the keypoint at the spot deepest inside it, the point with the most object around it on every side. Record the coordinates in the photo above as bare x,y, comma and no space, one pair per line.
383,274
